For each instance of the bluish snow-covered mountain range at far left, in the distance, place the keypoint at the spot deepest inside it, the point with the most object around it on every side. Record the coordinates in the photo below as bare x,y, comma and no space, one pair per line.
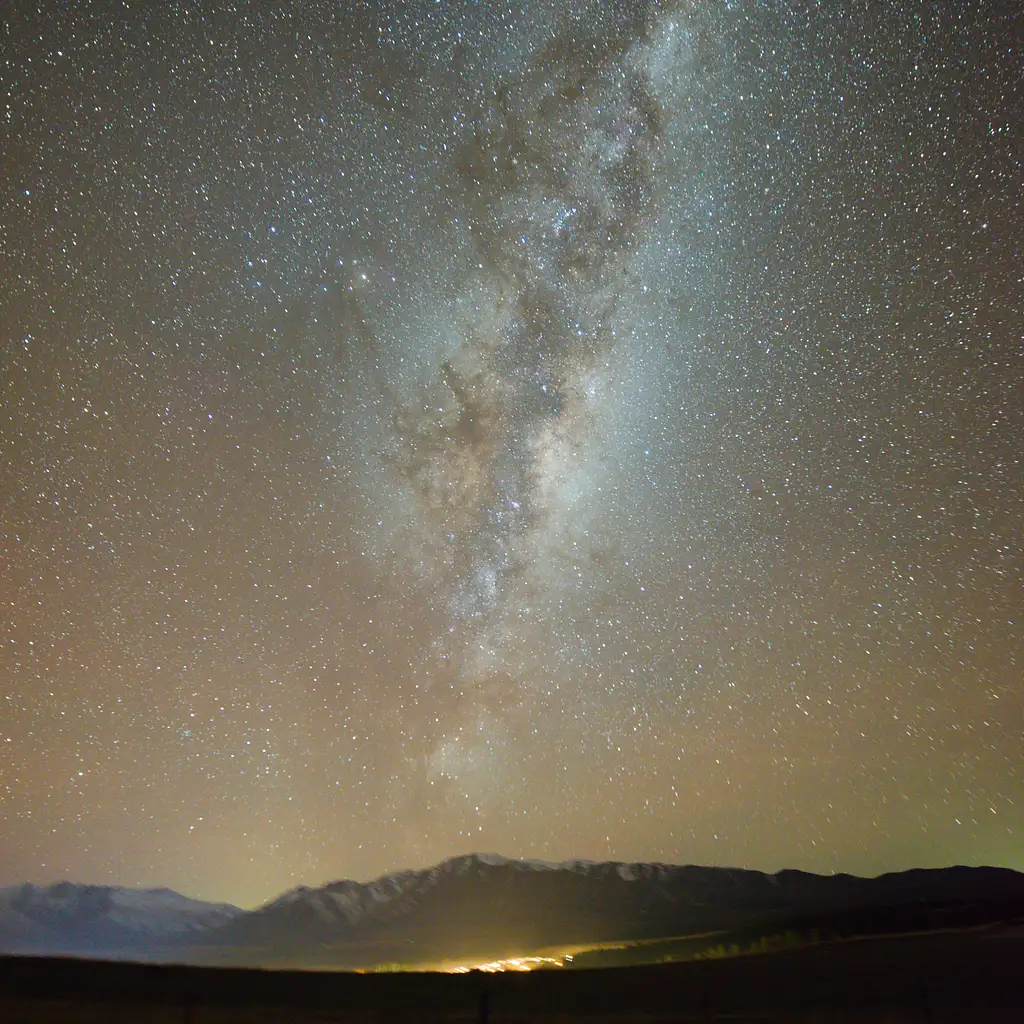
68,918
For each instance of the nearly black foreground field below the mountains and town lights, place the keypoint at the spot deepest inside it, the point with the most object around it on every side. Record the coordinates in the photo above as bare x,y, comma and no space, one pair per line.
966,976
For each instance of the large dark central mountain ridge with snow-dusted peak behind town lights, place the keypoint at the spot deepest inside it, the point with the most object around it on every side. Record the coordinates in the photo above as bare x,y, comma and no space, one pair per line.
487,904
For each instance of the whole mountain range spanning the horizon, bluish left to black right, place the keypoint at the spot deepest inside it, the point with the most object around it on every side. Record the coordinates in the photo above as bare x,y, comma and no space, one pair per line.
485,906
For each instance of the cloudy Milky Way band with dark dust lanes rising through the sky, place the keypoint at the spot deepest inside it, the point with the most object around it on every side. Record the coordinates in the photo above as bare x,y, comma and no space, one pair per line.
561,181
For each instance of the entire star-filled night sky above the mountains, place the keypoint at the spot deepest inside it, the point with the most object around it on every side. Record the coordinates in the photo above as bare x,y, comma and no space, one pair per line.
569,430
